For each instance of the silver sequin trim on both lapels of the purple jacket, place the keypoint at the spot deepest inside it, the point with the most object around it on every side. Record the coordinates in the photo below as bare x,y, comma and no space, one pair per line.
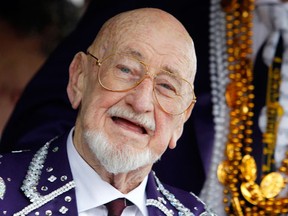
37,200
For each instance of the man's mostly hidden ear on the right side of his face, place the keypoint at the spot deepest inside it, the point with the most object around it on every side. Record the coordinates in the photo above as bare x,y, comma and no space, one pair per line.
179,130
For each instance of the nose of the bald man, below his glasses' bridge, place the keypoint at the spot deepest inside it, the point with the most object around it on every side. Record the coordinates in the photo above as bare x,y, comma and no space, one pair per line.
141,98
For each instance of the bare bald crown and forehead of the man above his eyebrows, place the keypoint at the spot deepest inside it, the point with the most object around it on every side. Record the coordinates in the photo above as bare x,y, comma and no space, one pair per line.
158,29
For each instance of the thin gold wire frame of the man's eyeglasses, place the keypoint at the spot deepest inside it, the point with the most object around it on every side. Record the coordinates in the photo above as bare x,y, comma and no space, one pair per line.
99,63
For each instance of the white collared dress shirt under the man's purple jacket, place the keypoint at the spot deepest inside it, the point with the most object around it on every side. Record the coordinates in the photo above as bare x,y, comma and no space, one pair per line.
92,192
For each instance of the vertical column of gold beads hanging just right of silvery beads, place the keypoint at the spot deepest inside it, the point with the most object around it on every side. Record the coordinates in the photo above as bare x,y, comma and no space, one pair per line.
239,96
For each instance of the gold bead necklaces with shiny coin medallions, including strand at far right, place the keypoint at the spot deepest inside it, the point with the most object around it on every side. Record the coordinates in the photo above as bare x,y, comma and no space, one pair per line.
238,172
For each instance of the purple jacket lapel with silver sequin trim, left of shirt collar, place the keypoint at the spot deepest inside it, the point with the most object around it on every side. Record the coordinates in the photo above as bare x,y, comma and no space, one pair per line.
49,172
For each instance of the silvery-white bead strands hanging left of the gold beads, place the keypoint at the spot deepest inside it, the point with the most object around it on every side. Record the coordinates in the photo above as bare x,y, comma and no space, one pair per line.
212,189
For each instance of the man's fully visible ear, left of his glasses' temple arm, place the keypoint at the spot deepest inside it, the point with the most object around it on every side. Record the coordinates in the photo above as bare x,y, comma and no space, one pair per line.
76,79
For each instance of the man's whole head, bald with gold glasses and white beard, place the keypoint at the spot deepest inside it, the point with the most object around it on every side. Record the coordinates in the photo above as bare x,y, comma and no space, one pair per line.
134,88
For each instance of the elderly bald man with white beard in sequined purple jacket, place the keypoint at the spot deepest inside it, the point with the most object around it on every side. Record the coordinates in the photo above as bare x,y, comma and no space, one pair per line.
134,91
